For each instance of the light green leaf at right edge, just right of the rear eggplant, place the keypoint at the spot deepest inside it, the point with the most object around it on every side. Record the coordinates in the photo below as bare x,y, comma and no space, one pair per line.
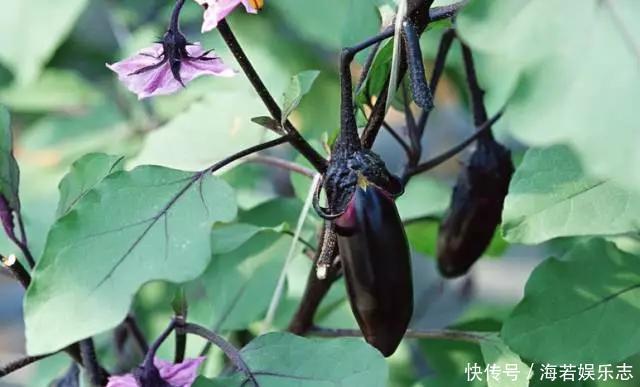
550,196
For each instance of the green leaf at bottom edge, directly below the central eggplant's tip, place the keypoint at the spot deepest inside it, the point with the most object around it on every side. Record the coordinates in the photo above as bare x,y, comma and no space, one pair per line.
286,360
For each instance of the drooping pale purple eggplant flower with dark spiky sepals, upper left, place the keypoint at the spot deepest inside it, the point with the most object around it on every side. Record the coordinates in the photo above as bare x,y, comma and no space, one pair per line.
167,66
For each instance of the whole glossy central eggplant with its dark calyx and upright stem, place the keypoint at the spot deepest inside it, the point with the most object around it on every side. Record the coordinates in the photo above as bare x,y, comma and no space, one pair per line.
372,244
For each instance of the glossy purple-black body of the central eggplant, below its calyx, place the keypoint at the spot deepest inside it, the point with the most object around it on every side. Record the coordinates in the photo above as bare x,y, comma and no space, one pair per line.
377,268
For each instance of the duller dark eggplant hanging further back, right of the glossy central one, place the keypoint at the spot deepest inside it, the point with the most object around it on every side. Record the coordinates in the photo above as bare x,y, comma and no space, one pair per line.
476,209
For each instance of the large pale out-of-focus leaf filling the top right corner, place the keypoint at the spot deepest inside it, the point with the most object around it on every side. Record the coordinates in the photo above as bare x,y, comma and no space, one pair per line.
572,69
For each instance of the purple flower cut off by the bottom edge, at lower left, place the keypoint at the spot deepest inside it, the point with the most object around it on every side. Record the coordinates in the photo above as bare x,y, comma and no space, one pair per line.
163,374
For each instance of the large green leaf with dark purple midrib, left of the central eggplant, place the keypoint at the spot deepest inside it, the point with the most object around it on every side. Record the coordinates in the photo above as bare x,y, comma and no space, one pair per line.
151,223
